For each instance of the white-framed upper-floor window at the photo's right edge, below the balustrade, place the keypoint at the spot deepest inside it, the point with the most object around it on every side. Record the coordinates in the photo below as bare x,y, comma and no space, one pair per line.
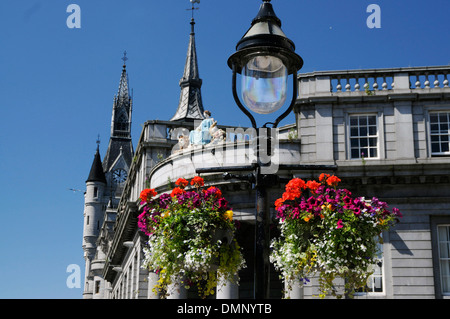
440,133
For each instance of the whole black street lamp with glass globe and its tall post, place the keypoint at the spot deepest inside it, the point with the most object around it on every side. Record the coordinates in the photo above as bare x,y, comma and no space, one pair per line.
265,58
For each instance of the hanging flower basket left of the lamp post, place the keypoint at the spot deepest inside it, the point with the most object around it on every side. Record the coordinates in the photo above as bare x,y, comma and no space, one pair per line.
191,237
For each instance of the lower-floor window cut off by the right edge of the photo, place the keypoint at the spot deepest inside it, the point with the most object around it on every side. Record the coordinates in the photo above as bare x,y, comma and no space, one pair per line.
443,232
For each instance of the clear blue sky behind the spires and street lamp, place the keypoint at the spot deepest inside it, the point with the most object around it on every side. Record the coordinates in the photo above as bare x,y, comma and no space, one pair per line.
57,86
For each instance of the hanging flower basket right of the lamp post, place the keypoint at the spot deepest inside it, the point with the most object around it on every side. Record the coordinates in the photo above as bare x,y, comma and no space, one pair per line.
325,231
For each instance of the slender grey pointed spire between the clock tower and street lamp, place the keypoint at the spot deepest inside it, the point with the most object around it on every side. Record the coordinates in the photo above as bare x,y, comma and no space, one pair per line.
190,106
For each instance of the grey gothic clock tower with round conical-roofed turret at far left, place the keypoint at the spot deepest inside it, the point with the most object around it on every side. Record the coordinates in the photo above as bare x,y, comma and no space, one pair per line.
104,187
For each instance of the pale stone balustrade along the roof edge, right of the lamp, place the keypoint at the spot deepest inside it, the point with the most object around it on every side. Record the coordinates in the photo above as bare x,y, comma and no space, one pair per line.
373,81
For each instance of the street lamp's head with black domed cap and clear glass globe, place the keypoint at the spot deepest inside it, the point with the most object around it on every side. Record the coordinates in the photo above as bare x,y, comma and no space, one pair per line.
265,58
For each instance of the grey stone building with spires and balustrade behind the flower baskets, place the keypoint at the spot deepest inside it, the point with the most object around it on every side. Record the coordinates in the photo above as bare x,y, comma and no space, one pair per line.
386,130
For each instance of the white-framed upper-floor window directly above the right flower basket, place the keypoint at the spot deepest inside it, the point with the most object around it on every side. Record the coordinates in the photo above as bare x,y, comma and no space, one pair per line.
363,136
